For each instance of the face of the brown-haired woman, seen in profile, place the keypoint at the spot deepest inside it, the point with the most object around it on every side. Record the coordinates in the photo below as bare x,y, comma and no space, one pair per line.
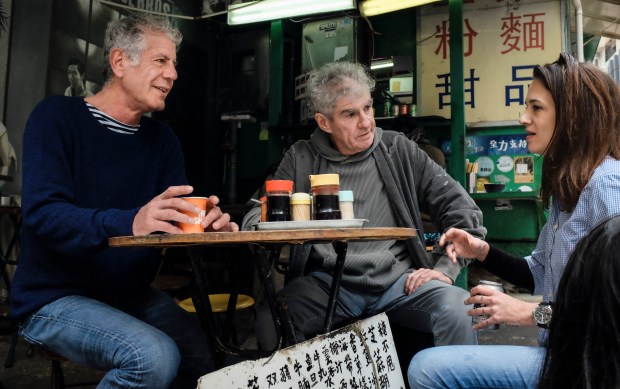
539,117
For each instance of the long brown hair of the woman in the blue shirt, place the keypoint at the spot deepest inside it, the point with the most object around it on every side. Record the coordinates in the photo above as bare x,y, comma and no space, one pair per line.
587,127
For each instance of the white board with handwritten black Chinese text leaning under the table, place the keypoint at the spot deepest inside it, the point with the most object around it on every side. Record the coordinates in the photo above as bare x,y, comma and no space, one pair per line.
361,355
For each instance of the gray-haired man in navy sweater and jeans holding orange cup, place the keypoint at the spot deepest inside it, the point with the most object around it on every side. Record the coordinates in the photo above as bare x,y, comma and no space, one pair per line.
94,168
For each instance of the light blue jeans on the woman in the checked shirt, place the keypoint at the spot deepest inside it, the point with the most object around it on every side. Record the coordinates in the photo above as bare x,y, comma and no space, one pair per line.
451,367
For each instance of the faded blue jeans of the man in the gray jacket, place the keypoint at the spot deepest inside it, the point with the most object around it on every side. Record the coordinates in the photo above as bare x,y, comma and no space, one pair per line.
436,307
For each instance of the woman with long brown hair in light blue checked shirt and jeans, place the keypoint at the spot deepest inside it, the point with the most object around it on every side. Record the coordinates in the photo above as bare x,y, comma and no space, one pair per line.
572,117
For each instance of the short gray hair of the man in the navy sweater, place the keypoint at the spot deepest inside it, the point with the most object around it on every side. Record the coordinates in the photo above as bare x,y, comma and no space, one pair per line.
128,34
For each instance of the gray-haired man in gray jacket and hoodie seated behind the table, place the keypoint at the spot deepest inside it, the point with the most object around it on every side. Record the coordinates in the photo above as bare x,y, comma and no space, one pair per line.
393,181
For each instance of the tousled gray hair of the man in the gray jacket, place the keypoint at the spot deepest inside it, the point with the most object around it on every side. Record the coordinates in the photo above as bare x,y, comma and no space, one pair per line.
332,81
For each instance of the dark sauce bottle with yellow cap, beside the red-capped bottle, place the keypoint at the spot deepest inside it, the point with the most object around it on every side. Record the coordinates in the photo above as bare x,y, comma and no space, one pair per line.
325,193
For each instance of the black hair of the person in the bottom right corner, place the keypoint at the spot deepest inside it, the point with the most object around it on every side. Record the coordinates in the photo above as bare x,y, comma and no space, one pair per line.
583,348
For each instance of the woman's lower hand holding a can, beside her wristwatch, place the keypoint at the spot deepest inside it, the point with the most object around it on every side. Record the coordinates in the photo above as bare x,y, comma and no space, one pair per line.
499,307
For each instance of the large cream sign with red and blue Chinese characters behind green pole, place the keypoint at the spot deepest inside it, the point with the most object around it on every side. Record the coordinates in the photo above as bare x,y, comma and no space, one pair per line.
502,42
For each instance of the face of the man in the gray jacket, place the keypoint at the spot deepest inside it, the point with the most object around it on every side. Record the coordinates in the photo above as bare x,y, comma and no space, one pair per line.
352,125
